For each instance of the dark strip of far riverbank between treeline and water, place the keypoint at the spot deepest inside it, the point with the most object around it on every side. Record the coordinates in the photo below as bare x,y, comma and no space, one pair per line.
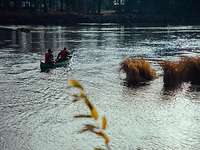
21,18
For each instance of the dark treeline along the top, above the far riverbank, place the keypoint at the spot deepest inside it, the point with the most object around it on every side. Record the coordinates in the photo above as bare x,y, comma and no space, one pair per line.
161,7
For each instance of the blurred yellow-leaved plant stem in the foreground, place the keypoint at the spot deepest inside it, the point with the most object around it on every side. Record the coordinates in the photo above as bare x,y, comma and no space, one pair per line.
101,123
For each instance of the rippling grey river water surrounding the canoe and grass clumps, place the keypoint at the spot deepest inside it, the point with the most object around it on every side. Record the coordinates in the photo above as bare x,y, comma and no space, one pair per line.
37,114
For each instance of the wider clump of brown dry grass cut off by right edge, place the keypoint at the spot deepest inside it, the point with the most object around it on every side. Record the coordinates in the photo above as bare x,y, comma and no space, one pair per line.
187,69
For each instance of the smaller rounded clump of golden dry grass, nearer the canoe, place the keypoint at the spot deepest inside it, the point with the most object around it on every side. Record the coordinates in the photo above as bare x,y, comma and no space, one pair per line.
137,70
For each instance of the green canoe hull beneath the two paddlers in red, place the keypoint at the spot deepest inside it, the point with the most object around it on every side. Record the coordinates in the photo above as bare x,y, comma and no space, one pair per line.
46,67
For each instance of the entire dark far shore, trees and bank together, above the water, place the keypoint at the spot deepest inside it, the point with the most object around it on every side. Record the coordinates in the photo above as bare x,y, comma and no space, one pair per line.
119,11
